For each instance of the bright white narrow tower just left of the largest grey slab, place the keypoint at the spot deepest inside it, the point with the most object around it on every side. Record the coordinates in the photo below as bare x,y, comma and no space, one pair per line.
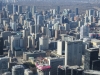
60,47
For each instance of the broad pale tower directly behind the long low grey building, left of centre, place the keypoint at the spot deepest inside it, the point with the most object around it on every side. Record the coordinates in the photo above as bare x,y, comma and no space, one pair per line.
43,43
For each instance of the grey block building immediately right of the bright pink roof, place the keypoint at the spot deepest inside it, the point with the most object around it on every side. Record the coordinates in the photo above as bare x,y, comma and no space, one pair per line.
54,63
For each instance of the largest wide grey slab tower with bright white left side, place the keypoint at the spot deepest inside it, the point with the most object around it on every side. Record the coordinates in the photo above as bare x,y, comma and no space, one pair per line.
73,52
